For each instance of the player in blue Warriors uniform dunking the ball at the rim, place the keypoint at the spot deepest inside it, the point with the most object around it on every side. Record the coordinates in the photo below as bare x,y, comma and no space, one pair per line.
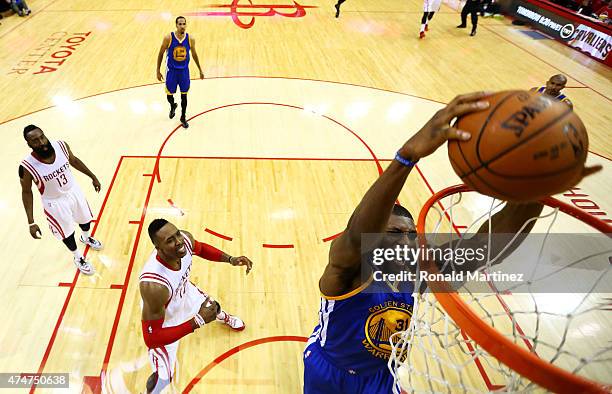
349,350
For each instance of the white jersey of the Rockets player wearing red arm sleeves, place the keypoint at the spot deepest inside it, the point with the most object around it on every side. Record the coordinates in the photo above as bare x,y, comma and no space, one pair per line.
185,298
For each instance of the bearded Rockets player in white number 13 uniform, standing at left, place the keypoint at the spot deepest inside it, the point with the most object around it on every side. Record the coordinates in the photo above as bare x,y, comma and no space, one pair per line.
63,202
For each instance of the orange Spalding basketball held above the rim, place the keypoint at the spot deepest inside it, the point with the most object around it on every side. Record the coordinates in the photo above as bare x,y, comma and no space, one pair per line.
524,147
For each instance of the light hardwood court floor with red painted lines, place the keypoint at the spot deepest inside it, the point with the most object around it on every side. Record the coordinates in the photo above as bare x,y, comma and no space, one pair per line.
287,129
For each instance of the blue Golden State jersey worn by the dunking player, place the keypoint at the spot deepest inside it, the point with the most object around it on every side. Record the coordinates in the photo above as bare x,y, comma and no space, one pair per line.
354,329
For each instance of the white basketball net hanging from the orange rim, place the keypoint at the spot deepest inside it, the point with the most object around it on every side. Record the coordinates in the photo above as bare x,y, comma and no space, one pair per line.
571,331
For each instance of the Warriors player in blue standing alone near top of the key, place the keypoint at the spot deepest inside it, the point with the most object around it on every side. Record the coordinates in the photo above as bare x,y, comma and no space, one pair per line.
178,46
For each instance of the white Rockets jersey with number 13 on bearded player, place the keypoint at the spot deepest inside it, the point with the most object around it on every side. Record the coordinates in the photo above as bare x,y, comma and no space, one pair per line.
55,179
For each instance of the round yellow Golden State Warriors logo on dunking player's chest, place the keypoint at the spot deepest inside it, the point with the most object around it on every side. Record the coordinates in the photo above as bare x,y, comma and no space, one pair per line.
385,320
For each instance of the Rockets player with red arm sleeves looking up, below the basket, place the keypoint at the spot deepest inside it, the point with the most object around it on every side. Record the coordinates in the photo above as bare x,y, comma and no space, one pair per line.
172,305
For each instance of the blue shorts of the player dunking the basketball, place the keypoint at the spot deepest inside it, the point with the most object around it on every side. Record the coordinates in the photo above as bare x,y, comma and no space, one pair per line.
321,377
